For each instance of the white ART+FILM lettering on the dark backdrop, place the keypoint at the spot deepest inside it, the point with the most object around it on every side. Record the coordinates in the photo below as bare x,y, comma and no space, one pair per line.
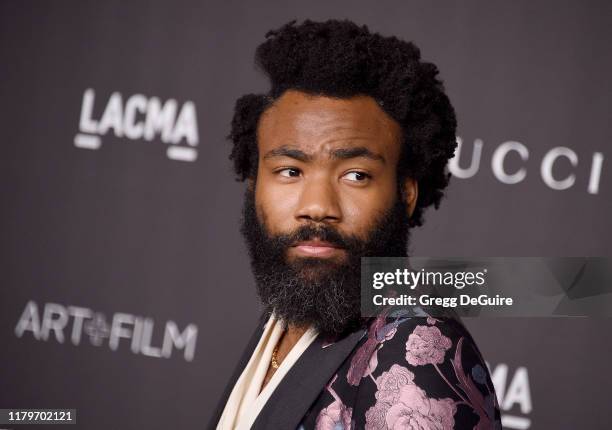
69,323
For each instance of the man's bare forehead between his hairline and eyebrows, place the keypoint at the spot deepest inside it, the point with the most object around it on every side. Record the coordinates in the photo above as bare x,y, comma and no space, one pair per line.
317,124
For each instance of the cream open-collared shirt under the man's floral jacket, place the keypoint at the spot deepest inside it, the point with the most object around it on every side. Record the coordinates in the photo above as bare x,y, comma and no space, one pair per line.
246,401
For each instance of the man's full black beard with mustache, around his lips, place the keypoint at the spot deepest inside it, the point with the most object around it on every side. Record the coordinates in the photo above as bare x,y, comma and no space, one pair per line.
321,292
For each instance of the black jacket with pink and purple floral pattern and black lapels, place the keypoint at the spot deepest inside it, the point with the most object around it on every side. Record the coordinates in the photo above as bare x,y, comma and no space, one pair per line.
399,373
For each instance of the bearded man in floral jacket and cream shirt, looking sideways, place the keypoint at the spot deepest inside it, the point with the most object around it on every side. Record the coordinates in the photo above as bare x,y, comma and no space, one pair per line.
341,158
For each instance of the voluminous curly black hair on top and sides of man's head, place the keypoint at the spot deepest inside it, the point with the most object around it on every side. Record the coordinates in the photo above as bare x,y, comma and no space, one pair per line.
341,59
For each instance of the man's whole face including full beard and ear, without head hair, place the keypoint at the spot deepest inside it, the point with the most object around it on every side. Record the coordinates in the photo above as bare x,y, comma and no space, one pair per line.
326,194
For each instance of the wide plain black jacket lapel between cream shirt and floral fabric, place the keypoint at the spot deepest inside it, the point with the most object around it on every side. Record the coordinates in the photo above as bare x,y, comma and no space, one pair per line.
304,382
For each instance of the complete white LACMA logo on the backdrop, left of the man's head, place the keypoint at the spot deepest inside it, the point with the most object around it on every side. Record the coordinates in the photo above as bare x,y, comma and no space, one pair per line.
141,118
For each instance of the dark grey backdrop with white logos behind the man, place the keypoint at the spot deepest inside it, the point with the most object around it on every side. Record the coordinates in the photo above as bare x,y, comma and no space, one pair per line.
126,291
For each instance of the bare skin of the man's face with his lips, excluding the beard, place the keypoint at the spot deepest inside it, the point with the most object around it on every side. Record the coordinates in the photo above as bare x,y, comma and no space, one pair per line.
325,161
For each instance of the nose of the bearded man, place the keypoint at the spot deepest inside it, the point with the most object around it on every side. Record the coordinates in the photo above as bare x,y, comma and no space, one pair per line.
318,201
